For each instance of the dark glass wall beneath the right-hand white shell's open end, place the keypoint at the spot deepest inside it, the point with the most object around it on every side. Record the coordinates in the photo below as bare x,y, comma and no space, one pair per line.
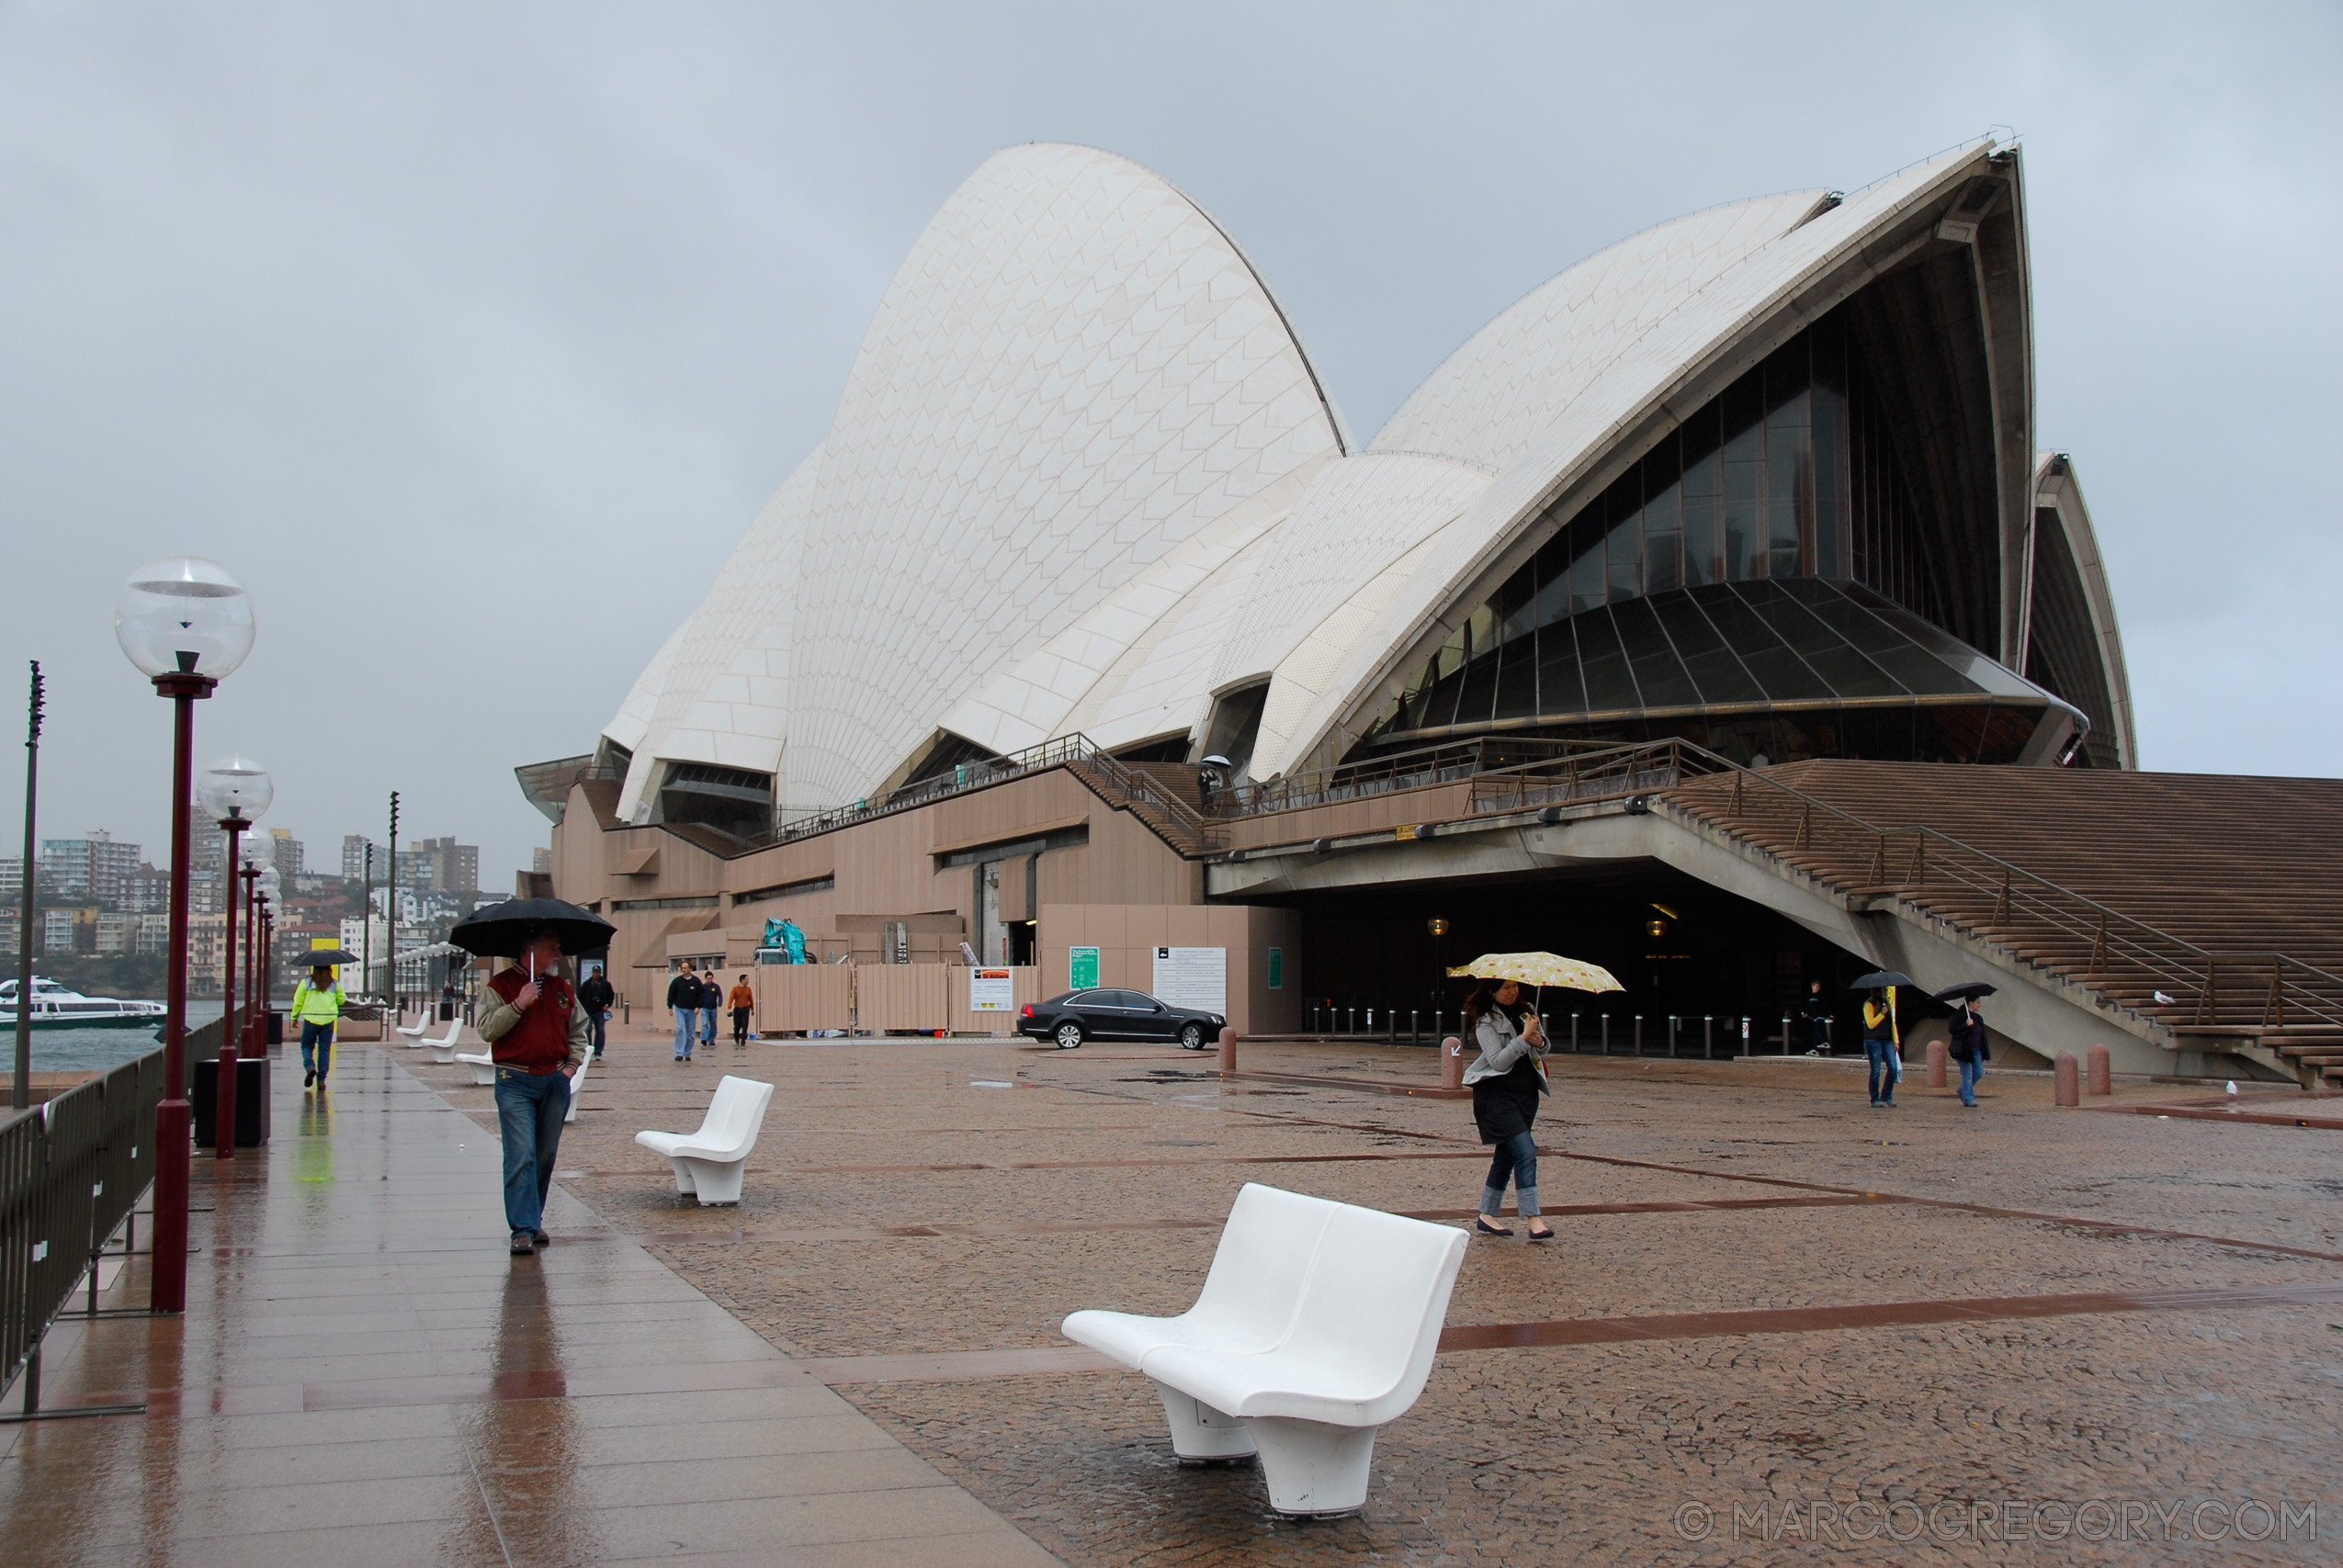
1765,557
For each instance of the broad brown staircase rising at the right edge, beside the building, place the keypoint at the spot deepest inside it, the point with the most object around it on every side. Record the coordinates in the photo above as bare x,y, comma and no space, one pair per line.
2206,911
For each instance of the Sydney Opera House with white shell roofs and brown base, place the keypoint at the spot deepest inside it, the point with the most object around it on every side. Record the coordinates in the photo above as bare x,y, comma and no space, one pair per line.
1093,632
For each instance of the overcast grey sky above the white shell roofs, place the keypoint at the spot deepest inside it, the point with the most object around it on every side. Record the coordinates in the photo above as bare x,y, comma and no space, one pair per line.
472,336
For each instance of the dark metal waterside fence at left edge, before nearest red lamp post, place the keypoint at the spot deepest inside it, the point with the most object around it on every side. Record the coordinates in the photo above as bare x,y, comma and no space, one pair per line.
71,1173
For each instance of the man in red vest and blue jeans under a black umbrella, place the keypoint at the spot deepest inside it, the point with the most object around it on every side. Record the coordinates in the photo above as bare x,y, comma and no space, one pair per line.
535,1030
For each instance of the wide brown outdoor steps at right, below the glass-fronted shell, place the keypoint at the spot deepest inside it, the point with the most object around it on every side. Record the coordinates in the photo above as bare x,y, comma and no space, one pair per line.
2229,866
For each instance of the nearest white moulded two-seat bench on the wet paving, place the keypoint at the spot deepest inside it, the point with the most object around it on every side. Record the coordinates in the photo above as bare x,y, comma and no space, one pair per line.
1316,1328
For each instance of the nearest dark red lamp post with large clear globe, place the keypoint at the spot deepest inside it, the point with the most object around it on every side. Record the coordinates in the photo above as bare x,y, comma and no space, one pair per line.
186,625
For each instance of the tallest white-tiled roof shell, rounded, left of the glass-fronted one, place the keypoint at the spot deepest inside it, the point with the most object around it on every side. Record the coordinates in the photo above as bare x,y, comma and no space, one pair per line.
1070,376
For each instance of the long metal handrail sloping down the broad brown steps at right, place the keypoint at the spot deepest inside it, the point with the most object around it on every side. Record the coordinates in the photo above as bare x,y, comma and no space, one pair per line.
1906,859
